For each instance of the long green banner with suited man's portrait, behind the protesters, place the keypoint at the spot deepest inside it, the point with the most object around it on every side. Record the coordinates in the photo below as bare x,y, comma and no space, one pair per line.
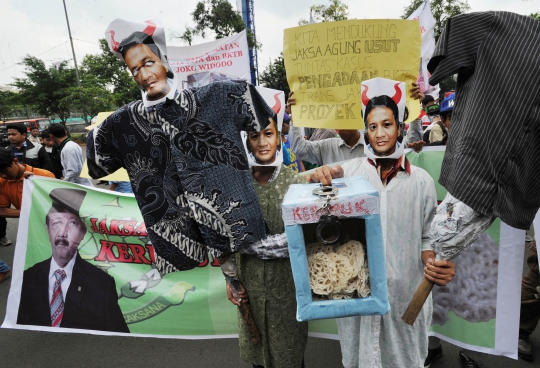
110,238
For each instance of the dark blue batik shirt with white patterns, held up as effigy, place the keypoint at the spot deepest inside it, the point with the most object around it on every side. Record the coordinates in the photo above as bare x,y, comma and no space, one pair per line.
188,169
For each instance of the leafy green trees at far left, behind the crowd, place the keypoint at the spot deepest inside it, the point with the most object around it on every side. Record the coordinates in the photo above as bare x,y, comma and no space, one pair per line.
106,85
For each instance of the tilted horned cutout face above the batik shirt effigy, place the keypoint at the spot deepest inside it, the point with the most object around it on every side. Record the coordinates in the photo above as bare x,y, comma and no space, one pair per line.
142,46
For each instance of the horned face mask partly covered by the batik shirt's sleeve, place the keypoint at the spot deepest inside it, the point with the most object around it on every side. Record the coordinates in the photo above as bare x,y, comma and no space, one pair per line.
264,148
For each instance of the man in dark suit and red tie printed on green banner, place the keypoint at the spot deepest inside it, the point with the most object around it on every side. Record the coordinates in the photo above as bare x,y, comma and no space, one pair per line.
90,300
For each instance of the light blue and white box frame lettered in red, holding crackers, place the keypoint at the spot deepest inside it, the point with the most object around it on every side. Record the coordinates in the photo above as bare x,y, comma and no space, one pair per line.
357,207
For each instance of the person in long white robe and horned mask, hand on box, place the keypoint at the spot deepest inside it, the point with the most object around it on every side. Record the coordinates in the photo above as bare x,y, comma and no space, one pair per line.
408,201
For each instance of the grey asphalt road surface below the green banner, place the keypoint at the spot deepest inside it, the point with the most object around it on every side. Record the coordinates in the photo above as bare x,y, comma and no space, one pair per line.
23,349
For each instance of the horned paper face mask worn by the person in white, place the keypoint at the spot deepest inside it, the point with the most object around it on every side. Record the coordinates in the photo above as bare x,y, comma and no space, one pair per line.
383,109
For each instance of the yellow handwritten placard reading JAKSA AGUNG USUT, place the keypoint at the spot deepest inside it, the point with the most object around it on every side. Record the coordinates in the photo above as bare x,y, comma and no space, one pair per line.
327,62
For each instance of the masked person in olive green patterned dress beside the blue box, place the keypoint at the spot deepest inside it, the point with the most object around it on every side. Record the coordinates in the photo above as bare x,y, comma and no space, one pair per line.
265,268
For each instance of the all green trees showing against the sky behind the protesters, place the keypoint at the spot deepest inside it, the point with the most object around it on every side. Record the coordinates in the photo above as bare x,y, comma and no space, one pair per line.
106,84
